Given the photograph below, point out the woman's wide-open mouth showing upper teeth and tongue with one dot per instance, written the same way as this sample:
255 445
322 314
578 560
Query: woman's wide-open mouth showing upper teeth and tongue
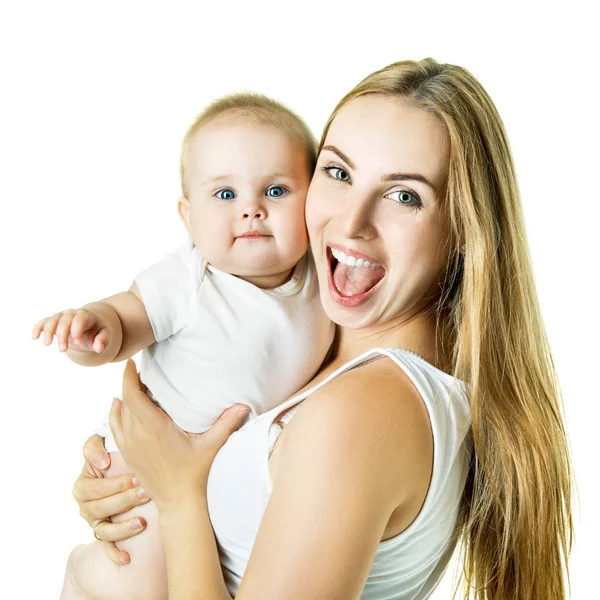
351 282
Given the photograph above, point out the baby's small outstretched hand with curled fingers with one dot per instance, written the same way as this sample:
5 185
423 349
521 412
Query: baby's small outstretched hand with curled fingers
80 330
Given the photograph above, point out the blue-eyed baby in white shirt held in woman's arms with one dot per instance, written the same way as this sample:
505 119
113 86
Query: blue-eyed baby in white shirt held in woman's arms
231 316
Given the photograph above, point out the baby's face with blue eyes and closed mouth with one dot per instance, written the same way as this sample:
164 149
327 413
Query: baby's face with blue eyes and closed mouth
247 186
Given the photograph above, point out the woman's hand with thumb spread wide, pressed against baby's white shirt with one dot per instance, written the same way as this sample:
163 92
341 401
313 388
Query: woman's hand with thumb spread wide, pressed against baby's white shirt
171 464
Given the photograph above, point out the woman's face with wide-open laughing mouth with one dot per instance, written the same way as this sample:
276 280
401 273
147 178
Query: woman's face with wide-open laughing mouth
377 195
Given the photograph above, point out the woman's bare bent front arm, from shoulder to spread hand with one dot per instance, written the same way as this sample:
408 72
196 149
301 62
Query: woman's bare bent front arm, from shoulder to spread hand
360 448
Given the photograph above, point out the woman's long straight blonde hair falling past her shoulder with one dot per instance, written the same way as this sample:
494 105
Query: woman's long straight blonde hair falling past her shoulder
516 515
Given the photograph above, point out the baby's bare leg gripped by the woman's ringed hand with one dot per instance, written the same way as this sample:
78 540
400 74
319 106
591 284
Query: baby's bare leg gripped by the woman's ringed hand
91 575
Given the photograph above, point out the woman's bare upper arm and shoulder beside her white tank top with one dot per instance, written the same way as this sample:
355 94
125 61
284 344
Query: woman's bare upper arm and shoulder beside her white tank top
358 450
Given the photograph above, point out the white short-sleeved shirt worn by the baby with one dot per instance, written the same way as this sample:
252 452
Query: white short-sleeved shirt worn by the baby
221 340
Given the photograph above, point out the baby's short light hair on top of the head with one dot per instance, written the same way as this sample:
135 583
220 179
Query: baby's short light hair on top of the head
257 108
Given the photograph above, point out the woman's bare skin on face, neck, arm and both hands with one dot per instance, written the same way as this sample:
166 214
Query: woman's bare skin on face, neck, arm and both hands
354 464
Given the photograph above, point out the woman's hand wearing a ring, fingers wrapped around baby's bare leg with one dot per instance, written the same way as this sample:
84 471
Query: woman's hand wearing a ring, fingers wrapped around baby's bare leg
100 497
